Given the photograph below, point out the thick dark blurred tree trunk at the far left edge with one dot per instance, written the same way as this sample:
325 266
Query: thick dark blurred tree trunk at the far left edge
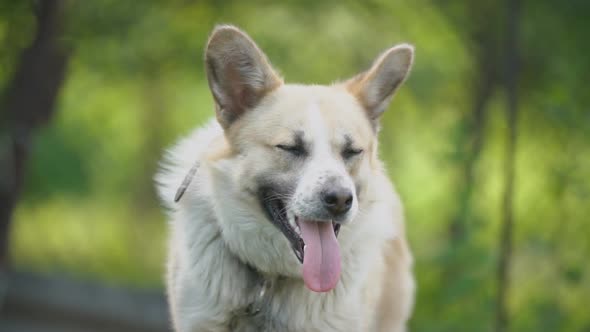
28 103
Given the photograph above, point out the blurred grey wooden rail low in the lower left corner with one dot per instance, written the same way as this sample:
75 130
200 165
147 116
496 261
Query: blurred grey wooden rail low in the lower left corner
31 303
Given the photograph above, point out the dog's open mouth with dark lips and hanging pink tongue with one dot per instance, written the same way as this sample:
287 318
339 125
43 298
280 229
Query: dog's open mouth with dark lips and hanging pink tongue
314 243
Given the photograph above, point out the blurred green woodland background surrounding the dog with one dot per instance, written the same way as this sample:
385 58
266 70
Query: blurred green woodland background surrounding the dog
488 143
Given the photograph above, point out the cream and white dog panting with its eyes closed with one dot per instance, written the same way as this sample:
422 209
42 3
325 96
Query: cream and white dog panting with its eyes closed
285 219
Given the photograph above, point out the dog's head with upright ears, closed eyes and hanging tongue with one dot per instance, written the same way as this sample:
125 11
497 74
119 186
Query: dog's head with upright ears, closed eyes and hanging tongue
305 153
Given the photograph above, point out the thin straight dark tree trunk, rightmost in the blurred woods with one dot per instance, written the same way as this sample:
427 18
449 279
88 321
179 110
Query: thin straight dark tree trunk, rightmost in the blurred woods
511 87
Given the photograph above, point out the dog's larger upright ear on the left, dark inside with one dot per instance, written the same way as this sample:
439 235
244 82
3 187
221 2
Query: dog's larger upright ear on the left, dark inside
239 73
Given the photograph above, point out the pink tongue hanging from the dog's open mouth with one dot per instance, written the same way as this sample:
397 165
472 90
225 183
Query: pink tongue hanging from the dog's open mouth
321 258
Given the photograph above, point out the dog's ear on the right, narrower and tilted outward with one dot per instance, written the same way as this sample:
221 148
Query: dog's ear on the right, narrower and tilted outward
375 87
